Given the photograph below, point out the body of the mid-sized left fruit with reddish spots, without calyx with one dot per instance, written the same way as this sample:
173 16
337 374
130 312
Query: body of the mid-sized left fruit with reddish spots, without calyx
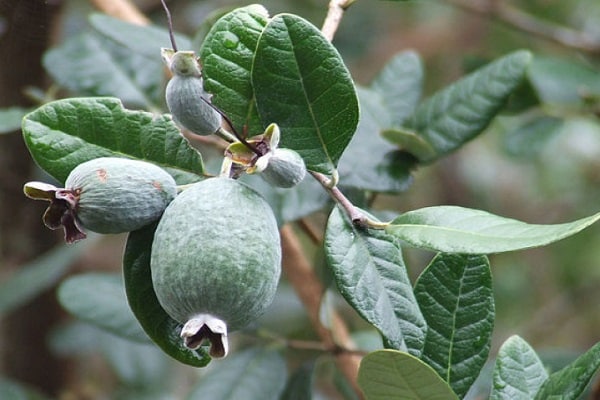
114 195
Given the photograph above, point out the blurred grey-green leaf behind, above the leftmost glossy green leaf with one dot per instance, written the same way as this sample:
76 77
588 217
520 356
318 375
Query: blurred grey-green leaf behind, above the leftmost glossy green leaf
90 65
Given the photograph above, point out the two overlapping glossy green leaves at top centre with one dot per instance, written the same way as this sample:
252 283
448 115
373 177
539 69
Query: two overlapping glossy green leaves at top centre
282 70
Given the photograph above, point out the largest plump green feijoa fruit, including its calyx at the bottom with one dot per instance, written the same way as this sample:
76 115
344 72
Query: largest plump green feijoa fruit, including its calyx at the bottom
216 260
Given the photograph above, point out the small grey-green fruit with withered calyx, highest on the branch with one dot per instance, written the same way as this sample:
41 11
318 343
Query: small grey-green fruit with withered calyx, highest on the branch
186 99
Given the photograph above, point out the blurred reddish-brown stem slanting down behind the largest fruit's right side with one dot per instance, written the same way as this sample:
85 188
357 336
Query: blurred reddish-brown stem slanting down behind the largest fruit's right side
309 288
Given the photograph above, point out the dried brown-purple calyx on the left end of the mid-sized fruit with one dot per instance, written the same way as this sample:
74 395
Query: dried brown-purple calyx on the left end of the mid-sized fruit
61 211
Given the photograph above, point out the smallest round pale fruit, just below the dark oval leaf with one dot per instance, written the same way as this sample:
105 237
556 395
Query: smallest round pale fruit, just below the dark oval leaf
285 168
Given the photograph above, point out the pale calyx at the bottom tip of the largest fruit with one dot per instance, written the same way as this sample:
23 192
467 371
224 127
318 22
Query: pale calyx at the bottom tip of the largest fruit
204 327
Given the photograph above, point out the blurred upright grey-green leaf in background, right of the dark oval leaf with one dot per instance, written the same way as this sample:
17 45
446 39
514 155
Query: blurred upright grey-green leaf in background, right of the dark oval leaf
399 84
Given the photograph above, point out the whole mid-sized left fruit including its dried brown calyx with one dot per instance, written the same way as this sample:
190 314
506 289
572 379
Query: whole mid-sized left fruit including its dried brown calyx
106 195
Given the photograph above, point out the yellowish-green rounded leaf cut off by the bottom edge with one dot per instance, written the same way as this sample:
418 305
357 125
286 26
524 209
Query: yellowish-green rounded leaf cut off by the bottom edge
393 375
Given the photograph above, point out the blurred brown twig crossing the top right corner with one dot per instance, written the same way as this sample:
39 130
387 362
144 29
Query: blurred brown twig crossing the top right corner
516 18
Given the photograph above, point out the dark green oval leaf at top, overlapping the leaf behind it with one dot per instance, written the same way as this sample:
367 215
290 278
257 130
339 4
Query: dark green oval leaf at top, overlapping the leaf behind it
302 84
